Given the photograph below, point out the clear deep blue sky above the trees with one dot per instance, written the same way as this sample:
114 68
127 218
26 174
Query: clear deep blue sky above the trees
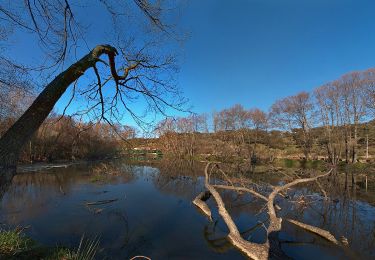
253 52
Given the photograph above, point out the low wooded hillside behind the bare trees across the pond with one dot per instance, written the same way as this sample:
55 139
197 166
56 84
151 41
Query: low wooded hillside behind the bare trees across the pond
261 145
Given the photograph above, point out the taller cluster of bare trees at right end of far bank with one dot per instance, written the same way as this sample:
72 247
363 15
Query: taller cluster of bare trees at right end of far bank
338 108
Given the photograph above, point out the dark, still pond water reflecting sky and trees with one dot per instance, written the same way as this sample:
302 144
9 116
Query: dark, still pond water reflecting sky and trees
152 213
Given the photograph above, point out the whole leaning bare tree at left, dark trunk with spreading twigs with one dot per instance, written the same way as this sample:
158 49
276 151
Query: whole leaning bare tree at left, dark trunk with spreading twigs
142 72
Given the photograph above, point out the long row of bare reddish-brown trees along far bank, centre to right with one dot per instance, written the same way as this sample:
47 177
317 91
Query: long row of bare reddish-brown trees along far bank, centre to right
327 122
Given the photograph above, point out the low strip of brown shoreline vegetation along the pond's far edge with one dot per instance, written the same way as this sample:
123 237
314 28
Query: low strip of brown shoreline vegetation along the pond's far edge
105 167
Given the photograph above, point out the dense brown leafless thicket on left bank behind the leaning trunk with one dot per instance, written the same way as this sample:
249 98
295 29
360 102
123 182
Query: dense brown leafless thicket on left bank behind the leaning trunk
64 138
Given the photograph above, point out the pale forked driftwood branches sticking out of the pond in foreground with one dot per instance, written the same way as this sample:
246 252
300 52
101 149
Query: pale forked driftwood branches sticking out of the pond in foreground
254 250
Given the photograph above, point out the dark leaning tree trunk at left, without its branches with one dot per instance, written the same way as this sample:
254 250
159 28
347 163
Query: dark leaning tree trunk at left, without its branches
21 132
